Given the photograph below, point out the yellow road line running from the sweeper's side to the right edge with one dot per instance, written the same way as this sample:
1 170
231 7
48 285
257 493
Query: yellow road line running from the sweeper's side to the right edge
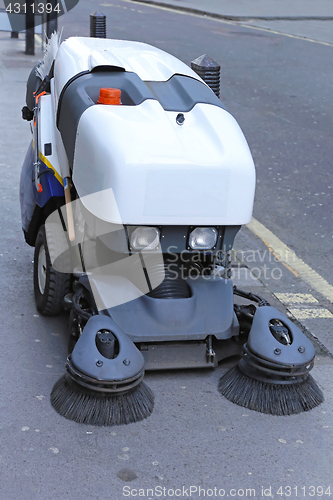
285 255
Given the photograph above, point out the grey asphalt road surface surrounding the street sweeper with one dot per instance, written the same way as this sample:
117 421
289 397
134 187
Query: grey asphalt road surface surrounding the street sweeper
279 90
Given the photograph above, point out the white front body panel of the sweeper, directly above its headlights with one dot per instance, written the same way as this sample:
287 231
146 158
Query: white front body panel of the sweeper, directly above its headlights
200 173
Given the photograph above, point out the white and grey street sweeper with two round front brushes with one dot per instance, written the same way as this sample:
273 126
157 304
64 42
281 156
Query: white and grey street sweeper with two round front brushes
133 188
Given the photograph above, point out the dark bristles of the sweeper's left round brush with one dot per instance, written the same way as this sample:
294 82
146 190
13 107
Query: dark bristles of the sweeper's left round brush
85 406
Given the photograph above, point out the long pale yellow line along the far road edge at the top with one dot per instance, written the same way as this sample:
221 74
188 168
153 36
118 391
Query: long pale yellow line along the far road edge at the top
225 21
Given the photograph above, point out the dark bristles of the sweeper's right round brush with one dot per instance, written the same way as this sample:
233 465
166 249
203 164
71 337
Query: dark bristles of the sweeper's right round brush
274 399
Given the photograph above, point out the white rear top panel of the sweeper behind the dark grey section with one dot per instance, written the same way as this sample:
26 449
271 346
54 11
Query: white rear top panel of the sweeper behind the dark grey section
79 54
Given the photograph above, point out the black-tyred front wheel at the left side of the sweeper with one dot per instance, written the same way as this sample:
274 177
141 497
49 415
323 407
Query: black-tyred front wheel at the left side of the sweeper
50 286
